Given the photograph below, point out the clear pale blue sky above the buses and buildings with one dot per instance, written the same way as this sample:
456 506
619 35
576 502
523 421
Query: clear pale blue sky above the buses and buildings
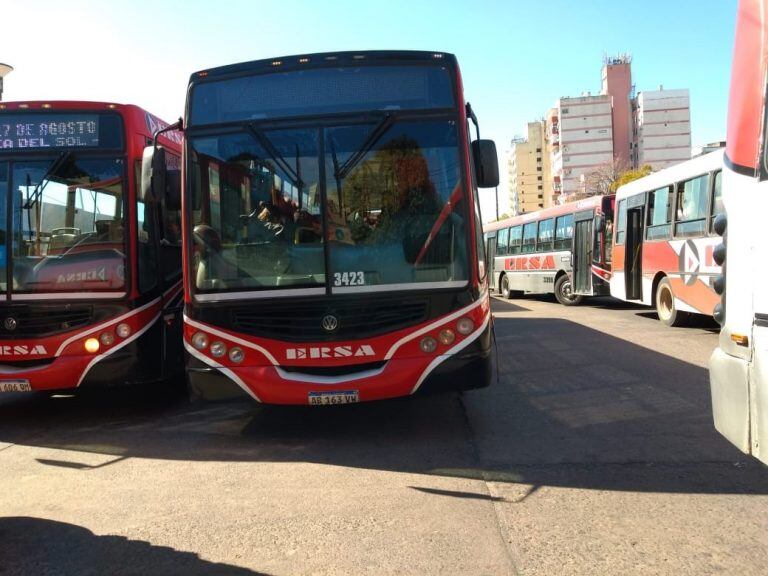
516 56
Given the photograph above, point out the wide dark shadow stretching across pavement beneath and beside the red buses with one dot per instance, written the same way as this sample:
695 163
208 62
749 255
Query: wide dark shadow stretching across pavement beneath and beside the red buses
574 407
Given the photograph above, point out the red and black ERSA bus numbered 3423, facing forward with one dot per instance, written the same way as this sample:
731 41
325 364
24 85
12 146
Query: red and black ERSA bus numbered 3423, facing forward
332 229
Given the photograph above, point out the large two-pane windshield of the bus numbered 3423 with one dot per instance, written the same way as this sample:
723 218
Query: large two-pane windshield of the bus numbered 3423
373 205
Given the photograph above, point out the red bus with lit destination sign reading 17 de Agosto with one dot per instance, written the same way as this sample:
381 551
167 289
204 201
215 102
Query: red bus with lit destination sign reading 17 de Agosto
91 290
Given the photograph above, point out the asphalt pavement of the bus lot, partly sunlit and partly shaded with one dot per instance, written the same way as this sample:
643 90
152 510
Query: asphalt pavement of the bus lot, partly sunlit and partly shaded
593 454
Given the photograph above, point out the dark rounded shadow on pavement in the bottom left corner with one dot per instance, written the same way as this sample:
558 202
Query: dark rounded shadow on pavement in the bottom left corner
42 546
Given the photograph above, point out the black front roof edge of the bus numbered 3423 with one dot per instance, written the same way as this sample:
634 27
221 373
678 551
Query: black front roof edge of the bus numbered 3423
298 61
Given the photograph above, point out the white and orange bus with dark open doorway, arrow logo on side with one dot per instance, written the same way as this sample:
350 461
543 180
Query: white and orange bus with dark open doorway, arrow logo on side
664 239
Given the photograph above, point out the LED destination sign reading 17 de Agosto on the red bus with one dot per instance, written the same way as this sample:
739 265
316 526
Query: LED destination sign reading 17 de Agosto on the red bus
36 131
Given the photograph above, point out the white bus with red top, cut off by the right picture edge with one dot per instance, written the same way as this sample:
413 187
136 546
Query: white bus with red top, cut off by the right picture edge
738 368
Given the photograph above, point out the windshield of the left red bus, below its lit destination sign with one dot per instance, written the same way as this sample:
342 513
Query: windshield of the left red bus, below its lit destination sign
66 225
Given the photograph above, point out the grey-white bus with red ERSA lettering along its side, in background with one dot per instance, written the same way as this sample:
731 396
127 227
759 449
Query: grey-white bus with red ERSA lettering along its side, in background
564 250
